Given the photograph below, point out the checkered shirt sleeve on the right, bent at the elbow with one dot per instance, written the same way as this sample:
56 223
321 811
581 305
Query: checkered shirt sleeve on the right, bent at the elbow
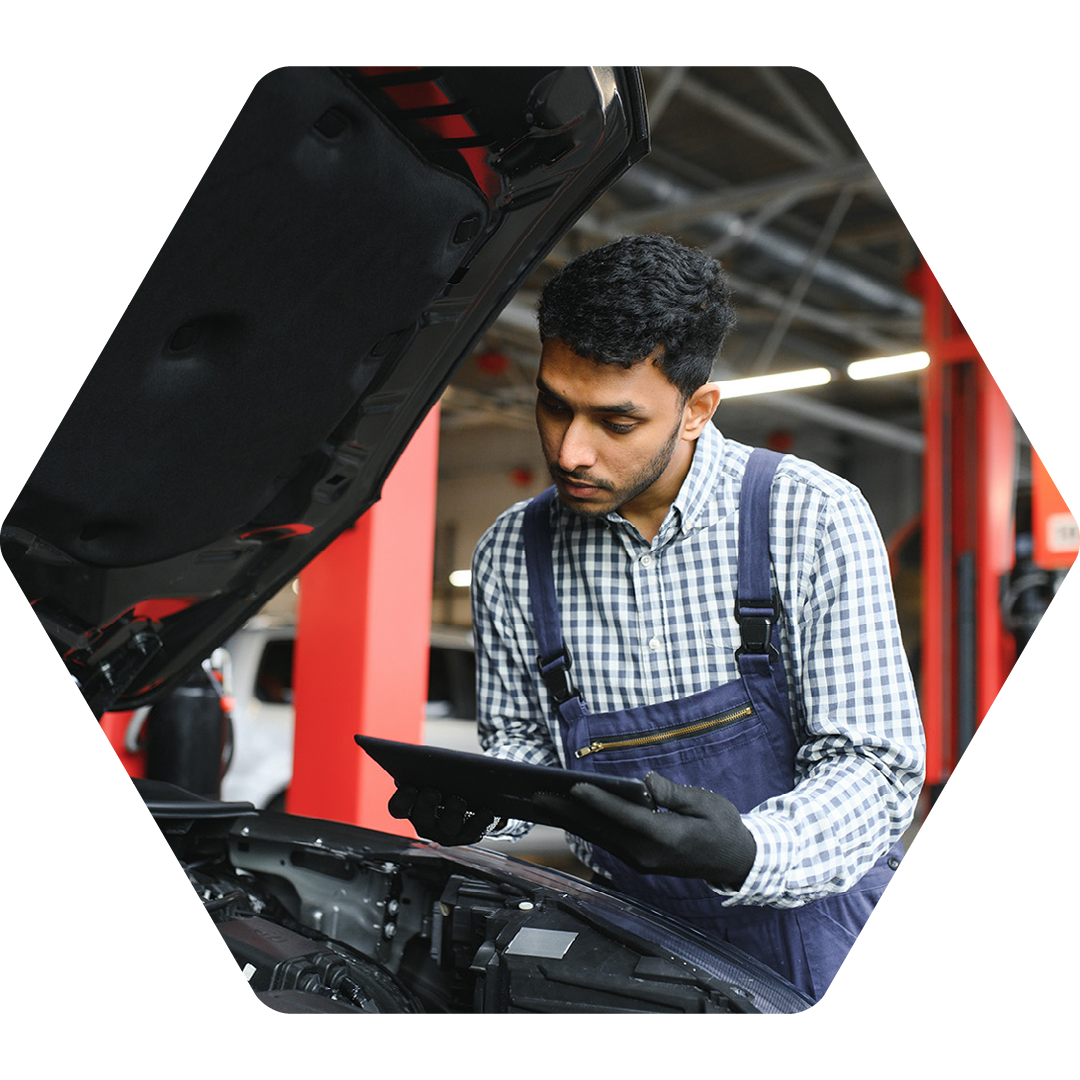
861 764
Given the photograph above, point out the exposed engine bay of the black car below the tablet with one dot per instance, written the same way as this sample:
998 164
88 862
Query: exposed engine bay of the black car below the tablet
330 919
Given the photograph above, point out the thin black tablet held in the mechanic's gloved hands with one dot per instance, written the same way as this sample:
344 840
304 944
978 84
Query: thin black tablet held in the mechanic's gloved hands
505 788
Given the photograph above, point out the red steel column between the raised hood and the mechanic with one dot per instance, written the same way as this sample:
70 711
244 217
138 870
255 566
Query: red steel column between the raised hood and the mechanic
363 639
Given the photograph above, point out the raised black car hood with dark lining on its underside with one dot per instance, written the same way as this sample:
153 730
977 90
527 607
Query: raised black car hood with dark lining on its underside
355 236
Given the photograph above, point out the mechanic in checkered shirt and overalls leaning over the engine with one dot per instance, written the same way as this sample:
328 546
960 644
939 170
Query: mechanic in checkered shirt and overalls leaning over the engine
715 619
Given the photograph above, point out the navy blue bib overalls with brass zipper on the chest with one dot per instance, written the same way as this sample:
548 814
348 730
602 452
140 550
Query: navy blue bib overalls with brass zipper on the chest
736 739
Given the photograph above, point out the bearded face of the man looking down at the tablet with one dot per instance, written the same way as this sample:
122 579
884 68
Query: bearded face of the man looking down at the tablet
613 437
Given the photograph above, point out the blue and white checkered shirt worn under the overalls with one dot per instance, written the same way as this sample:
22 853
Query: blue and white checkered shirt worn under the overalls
654 623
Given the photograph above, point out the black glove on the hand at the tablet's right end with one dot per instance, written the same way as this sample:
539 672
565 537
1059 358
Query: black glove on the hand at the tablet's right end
700 836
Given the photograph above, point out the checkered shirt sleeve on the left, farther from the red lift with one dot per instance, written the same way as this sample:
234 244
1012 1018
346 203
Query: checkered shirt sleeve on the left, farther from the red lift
510 717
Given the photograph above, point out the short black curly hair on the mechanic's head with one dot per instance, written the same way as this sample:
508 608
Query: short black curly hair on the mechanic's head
617 304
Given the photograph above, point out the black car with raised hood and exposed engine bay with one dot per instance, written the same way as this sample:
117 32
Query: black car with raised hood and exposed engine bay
232 430
